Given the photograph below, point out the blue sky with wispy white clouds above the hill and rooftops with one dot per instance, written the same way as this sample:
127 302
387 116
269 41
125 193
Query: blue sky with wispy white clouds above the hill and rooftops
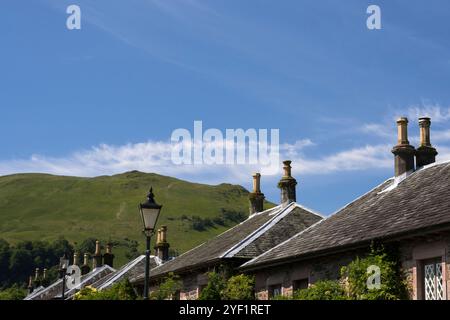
106 98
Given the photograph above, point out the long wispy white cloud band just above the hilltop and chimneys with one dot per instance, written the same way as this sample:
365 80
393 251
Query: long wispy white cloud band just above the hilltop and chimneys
155 156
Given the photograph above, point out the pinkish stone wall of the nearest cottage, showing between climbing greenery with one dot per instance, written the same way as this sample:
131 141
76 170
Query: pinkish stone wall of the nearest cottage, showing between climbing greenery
413 253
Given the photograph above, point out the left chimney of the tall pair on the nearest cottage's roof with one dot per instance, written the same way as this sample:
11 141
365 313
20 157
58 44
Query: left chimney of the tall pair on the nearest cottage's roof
403 151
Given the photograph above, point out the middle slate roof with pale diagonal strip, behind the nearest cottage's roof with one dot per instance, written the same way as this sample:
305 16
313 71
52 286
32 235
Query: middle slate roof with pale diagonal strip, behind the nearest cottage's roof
248 239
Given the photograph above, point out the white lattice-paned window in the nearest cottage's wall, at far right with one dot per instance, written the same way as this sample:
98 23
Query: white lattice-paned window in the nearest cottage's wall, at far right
433 280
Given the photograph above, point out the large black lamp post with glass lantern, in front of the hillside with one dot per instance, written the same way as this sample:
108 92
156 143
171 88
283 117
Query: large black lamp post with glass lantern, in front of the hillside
149 213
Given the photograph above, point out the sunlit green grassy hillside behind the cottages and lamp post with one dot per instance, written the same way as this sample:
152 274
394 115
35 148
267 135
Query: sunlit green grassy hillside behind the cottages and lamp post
44 207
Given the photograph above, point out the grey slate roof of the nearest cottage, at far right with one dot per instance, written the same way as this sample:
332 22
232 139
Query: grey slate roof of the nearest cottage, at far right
394 208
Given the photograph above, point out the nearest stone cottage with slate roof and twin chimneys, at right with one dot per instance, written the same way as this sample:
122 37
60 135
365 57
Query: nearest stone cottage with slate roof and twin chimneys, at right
410 211
